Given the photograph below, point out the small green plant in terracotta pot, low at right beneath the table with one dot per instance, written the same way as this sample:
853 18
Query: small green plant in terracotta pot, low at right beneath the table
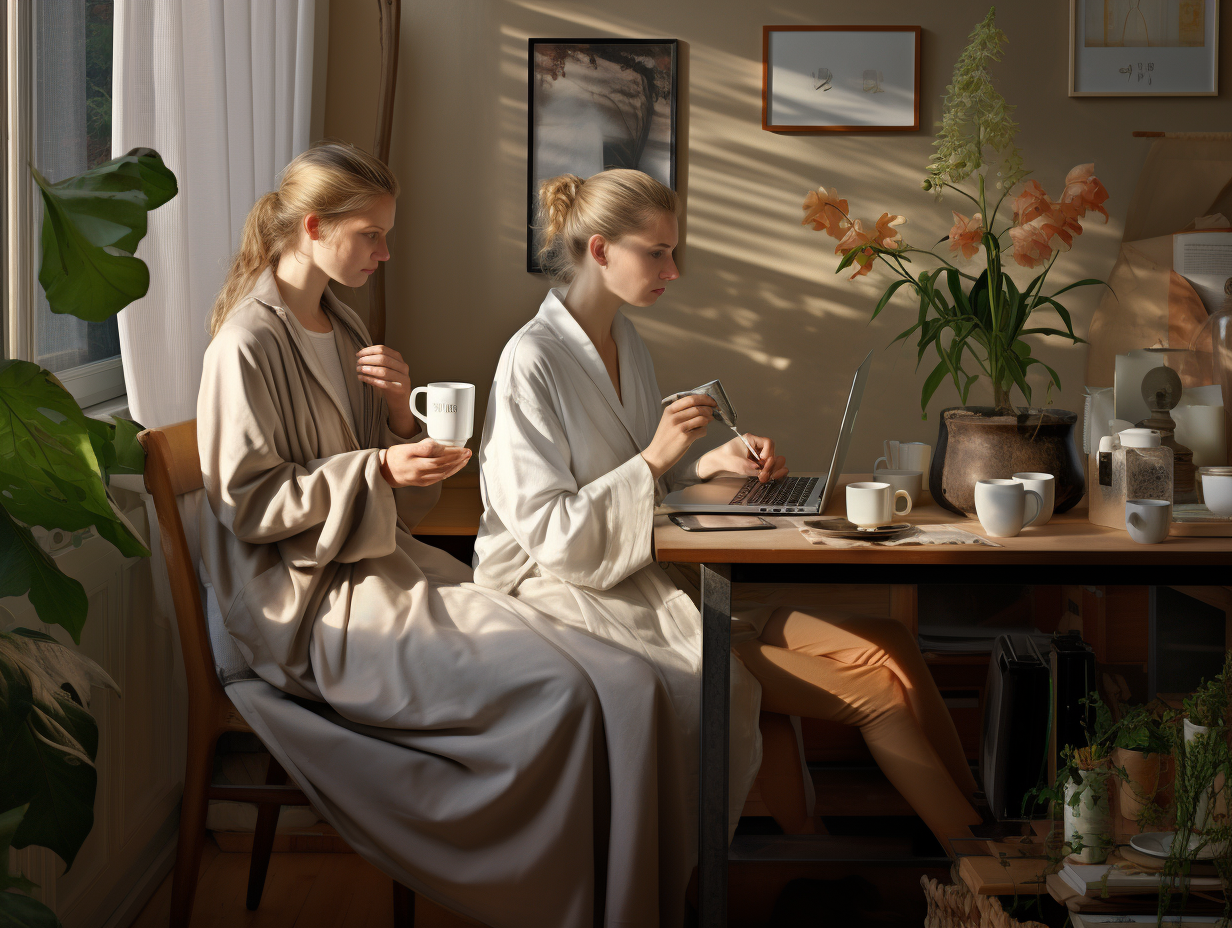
1143 756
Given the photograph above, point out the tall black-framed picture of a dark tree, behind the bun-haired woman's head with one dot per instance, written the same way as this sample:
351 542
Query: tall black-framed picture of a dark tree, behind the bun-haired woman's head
598 104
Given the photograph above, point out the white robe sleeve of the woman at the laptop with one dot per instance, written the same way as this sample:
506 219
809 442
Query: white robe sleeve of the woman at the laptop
591 537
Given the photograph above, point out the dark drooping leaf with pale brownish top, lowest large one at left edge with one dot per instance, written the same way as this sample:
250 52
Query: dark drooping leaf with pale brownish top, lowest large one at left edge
51 740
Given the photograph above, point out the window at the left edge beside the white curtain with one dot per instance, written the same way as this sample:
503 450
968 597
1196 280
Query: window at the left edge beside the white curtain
60 116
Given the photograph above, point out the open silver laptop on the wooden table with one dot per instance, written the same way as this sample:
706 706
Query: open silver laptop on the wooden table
787 496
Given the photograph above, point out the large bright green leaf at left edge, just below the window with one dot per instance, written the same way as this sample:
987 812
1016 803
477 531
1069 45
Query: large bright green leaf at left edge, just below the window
51 474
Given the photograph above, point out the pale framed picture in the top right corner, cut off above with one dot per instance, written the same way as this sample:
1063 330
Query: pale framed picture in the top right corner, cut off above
1144 47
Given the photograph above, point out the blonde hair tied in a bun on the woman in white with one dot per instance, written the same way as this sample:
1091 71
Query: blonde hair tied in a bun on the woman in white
612 204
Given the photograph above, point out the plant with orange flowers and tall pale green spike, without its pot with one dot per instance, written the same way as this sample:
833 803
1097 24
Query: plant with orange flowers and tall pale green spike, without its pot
979 317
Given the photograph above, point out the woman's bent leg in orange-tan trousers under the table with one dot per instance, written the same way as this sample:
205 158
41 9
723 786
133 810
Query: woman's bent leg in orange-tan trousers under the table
874 698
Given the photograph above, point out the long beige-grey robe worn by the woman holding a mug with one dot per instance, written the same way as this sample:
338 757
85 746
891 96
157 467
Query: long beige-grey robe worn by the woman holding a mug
519 771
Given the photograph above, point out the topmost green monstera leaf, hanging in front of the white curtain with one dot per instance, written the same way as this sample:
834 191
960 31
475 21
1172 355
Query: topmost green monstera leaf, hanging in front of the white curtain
92 227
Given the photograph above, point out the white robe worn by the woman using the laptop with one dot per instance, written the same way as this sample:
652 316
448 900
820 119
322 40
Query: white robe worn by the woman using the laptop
569 513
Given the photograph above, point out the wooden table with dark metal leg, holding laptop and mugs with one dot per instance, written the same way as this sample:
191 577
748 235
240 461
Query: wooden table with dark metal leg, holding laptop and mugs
1068 550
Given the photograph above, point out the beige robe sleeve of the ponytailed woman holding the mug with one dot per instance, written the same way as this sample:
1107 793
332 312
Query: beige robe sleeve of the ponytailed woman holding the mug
337 508
